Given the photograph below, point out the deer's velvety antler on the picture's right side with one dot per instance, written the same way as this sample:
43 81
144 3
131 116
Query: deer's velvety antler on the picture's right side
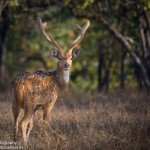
80 36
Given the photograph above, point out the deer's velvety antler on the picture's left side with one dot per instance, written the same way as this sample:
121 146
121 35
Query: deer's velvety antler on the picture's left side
49 38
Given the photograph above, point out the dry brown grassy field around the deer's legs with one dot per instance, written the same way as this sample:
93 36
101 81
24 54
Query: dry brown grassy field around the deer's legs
84 121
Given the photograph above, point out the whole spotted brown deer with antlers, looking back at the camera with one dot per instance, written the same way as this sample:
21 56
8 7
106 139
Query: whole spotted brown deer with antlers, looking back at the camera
39 90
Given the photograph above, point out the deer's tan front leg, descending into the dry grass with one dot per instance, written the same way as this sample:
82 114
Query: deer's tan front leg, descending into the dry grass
47 109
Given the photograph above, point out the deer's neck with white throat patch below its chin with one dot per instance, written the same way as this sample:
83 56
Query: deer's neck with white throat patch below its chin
62 76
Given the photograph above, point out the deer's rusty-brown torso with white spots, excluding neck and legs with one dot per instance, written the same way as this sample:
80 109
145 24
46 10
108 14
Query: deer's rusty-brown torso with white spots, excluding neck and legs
37 87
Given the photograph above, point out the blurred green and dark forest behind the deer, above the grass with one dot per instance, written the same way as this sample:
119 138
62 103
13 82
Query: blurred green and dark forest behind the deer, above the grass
115 52
